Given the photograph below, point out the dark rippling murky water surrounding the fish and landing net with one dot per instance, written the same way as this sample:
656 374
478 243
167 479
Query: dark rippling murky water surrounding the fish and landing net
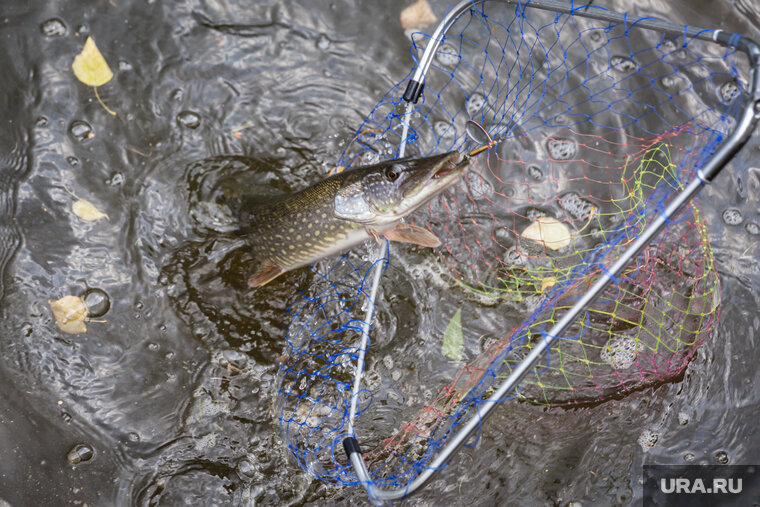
172 394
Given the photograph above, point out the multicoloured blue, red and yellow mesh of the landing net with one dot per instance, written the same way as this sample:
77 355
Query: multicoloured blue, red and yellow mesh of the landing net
600 124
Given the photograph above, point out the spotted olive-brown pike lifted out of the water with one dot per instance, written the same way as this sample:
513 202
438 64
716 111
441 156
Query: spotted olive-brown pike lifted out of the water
345 210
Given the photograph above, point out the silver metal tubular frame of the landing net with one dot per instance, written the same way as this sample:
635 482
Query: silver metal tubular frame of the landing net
705 174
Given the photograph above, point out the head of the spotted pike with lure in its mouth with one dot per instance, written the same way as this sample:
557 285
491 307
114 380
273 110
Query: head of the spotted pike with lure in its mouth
385 193
